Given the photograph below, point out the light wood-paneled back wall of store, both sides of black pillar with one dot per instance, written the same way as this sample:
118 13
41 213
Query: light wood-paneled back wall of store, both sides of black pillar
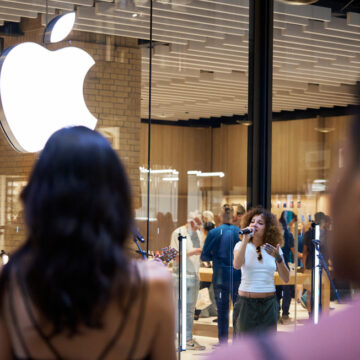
300 154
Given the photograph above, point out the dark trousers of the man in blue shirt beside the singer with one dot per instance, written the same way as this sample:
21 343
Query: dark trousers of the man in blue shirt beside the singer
222 293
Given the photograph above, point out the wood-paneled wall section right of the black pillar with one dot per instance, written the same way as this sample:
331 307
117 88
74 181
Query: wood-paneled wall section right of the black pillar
305 150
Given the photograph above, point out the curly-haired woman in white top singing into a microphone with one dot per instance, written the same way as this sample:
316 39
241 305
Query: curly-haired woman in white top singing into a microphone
258 256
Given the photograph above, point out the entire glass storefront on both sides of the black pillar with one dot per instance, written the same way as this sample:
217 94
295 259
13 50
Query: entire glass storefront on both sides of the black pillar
169 90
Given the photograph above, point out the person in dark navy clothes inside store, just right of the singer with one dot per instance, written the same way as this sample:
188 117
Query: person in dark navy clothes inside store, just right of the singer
285 292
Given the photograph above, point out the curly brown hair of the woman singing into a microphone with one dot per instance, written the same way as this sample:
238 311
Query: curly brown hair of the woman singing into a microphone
273 231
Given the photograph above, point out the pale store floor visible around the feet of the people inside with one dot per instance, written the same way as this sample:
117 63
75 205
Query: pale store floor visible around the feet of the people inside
205 329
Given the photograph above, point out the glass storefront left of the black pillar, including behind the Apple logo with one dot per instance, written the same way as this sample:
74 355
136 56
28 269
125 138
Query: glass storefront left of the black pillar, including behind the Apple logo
184 67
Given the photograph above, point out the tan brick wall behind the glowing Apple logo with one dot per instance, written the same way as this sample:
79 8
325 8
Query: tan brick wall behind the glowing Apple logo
112 94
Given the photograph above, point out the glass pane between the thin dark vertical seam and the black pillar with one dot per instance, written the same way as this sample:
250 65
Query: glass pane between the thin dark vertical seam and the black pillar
198 139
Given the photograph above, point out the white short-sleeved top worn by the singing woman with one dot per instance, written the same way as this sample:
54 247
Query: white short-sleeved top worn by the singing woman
257 276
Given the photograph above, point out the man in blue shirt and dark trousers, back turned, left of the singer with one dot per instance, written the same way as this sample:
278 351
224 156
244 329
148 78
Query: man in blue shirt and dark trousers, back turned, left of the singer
218 247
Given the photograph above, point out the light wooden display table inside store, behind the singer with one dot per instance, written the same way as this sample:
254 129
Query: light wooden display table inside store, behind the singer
206 275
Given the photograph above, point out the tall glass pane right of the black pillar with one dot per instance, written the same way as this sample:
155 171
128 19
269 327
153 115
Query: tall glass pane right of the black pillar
314 75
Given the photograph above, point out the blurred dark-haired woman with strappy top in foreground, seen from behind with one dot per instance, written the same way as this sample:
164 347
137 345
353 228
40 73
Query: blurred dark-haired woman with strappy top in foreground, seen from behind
71 291
